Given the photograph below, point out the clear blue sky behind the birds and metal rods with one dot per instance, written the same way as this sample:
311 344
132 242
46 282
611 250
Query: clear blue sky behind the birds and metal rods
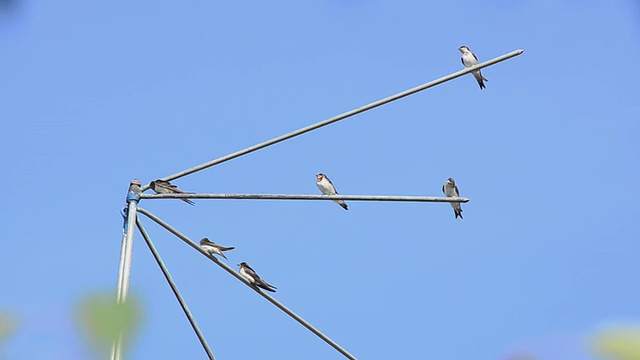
96 93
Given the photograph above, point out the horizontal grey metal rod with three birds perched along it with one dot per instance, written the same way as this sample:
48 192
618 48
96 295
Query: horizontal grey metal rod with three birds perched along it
308 197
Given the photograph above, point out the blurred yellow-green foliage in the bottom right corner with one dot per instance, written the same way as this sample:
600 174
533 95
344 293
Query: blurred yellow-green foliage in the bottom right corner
619 343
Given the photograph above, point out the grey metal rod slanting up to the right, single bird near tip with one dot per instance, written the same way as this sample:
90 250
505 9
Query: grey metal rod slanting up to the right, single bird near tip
342 116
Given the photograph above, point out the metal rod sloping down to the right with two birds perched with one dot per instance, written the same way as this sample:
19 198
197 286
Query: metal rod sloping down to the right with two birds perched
226 267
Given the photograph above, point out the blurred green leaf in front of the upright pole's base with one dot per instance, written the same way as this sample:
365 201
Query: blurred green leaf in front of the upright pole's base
103 321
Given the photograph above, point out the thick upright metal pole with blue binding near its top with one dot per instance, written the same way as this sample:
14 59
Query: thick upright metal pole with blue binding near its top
126 253
